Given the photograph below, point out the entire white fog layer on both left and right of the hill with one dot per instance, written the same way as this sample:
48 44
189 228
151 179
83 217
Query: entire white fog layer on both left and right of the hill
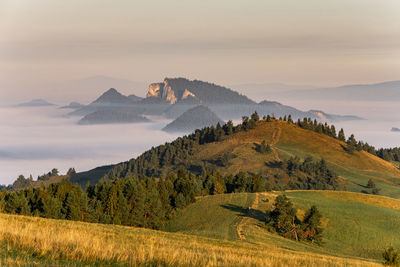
35 140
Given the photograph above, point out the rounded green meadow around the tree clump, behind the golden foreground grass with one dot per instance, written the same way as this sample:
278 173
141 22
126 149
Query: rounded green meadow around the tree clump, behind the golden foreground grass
356 225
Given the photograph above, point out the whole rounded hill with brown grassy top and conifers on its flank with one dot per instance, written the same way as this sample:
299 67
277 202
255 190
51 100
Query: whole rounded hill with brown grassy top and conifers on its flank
270 148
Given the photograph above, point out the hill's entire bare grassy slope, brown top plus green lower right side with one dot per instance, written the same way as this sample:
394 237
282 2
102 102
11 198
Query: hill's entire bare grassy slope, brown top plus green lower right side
290 140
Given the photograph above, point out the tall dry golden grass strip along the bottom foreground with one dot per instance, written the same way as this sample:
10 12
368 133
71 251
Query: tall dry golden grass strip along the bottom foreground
91 243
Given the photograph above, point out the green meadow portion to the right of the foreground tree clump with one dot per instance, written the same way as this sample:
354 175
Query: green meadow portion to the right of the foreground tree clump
357 224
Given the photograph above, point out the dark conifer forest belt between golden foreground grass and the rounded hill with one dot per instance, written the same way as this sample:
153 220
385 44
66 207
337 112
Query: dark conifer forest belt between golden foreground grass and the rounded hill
149 202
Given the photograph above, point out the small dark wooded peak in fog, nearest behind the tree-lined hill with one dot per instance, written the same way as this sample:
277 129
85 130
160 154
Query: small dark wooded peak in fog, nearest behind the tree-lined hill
194 118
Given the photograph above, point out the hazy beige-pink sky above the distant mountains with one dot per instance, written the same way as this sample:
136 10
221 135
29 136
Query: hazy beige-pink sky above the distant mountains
299 42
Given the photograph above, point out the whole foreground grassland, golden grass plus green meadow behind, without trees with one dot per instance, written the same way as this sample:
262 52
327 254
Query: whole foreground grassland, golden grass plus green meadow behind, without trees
217 230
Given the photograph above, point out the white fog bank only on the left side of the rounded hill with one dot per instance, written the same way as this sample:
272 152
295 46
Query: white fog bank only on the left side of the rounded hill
35 140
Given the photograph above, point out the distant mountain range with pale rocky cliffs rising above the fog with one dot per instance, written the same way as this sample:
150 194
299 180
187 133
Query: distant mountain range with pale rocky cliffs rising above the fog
174 96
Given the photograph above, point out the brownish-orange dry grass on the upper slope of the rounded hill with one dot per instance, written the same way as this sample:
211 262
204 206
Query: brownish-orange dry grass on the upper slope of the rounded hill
292 140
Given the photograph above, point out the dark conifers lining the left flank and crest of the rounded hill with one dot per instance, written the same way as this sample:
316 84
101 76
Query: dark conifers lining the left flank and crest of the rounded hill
177 152
